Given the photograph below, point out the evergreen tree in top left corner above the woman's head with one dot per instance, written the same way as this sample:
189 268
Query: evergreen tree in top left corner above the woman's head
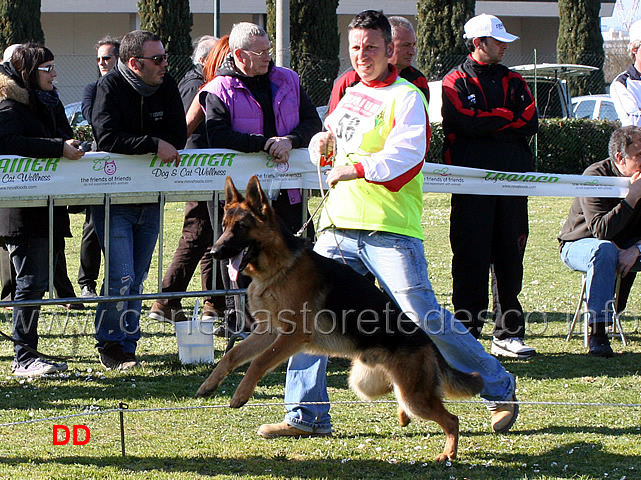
20 22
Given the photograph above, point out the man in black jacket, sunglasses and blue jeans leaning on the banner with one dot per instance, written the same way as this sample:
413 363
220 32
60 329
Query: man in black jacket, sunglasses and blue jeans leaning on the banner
137 110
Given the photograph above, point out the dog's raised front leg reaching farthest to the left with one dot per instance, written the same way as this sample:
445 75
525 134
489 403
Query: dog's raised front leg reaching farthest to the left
242 353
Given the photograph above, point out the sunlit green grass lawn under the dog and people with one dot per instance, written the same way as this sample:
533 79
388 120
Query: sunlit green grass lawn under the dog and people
168 437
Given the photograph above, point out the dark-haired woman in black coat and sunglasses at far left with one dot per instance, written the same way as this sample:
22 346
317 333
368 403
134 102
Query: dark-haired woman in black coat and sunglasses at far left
32 124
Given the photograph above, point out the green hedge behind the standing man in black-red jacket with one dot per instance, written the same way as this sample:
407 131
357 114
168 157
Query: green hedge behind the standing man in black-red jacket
565 145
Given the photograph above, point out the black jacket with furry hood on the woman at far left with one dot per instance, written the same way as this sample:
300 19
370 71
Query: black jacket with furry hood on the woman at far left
39 134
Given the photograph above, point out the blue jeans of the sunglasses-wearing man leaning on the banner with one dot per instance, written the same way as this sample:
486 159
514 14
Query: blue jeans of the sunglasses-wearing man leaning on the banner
132 239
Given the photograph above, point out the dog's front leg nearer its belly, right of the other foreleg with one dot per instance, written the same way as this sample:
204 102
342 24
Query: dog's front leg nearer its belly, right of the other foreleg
283 347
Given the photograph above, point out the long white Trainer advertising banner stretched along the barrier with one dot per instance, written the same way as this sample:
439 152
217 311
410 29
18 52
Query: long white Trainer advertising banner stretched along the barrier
206 170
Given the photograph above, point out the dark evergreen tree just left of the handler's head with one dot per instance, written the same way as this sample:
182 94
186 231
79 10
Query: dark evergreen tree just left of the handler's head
315 44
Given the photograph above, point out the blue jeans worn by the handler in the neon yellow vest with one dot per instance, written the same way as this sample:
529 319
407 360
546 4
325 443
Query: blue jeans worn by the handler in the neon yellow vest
398 262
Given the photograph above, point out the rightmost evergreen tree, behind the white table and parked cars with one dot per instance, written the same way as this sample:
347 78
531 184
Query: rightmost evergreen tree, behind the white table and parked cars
580 41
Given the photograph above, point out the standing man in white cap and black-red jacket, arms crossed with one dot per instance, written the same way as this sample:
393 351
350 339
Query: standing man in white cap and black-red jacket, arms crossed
488 116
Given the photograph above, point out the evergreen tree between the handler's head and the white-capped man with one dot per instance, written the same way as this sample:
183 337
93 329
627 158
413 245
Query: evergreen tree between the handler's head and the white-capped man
440 45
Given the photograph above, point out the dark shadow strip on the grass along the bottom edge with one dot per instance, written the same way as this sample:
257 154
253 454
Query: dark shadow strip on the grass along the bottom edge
570 460
